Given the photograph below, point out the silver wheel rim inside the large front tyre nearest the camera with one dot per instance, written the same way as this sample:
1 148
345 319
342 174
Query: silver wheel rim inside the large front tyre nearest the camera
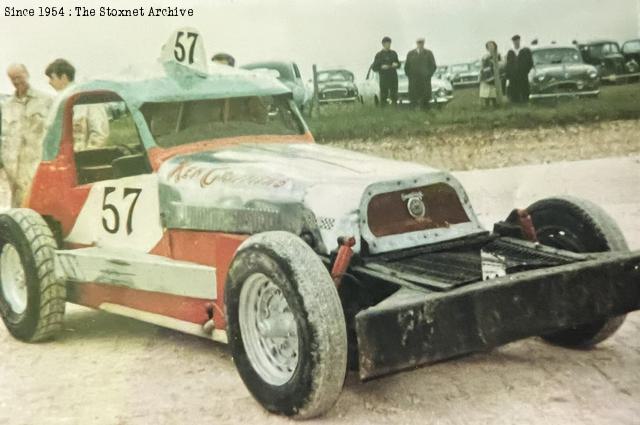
269 330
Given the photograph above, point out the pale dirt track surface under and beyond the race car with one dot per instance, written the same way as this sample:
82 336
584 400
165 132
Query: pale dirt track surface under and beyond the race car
110 370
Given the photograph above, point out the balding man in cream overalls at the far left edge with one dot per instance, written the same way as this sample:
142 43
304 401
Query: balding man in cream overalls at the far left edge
23 128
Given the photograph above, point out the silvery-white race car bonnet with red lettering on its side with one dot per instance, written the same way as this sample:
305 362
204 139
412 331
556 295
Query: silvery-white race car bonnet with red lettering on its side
241 188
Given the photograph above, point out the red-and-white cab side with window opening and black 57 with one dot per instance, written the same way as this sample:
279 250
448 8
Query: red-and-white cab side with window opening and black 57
106 194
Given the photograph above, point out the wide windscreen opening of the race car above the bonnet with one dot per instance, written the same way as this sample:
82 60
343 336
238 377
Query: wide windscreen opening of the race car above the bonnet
181 123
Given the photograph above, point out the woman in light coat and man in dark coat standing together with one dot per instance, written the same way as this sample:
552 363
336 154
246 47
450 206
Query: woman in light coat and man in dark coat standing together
512 73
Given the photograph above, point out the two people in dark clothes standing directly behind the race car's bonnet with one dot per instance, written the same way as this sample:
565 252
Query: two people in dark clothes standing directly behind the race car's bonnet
419 67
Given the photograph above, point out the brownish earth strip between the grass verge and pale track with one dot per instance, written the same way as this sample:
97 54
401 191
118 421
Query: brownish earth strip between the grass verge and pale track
501 148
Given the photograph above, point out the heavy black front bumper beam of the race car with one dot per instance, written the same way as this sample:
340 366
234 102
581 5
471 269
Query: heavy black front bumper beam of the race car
413 327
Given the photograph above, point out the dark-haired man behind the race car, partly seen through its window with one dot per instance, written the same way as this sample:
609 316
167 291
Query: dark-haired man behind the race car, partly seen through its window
90 122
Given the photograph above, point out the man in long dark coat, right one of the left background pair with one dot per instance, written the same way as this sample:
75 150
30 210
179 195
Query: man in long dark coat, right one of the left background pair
420 67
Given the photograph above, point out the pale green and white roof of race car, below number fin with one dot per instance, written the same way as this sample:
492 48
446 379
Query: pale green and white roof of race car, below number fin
180 84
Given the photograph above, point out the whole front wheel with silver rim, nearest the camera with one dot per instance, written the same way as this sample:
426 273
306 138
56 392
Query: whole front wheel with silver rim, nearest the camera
285 325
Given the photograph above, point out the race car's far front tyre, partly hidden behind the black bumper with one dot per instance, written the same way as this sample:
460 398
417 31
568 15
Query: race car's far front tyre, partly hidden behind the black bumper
580 226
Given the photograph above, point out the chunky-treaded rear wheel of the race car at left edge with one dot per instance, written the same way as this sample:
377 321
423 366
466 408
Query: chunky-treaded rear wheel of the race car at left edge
32 301
